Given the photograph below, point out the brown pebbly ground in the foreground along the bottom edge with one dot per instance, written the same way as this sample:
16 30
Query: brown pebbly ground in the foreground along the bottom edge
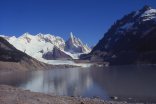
11 95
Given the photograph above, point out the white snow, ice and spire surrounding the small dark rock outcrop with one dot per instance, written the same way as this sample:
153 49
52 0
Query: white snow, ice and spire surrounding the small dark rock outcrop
38 45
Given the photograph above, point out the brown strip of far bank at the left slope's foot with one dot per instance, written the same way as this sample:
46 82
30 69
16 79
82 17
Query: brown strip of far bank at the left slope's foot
22 66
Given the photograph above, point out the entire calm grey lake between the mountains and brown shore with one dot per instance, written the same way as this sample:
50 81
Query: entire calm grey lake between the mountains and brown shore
127 81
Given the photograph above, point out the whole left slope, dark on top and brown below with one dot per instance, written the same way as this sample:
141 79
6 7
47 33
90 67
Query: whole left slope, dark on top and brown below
13 59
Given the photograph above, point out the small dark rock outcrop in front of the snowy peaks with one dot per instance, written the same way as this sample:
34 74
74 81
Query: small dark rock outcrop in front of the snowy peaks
56 54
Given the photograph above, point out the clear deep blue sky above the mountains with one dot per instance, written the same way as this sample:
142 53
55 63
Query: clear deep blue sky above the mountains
87 19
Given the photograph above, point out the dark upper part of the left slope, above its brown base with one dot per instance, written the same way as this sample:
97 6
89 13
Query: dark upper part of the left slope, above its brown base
10 53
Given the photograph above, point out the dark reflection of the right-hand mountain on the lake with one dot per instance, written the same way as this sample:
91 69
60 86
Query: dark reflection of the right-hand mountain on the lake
128 81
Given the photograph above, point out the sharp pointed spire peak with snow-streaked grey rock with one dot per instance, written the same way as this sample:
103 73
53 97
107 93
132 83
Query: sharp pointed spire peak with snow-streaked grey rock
75 45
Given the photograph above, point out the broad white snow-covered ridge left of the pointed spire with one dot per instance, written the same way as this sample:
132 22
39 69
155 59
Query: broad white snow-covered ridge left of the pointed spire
37 45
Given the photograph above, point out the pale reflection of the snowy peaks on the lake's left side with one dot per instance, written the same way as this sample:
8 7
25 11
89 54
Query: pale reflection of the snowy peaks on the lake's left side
71 82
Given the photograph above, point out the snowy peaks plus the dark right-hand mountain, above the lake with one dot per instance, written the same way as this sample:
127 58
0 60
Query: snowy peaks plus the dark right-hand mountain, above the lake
130 40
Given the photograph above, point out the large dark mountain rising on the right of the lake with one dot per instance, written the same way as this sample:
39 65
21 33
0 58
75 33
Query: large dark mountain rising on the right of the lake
130 40
